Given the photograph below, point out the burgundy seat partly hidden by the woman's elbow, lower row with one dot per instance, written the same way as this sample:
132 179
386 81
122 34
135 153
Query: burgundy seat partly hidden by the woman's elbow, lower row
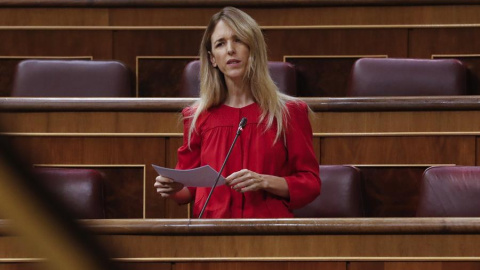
340 195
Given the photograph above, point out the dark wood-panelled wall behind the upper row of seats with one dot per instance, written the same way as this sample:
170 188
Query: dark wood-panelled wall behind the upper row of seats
320 38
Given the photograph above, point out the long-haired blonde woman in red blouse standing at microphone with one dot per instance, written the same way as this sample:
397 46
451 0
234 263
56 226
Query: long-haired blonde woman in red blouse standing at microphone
272 168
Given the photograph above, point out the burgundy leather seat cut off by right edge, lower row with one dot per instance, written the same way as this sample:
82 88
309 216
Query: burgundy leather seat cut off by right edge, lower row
450 191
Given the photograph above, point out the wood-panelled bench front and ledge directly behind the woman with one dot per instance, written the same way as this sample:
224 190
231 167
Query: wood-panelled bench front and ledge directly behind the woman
391 140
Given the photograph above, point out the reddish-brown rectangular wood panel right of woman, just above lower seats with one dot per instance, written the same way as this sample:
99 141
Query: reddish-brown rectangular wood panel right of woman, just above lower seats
400 150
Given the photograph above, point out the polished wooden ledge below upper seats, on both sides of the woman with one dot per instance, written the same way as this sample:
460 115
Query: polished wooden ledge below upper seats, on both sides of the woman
324 105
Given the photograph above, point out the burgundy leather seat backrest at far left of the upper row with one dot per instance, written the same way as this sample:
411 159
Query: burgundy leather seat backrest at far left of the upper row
71 78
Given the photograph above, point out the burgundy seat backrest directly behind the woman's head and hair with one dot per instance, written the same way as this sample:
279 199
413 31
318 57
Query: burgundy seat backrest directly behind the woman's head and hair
282 73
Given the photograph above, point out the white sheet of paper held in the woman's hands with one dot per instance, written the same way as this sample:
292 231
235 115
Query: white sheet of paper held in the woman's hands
199 177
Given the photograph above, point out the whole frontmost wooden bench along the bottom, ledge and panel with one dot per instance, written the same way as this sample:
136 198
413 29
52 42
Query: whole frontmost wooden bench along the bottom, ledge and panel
333 242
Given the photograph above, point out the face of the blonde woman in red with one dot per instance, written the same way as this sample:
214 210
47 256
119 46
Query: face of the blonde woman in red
228 53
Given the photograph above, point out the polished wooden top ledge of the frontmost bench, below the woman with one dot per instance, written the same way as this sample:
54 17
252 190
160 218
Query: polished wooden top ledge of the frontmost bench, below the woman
289 227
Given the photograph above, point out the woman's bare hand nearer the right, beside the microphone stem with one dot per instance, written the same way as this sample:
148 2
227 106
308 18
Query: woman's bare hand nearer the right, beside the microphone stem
246 180
